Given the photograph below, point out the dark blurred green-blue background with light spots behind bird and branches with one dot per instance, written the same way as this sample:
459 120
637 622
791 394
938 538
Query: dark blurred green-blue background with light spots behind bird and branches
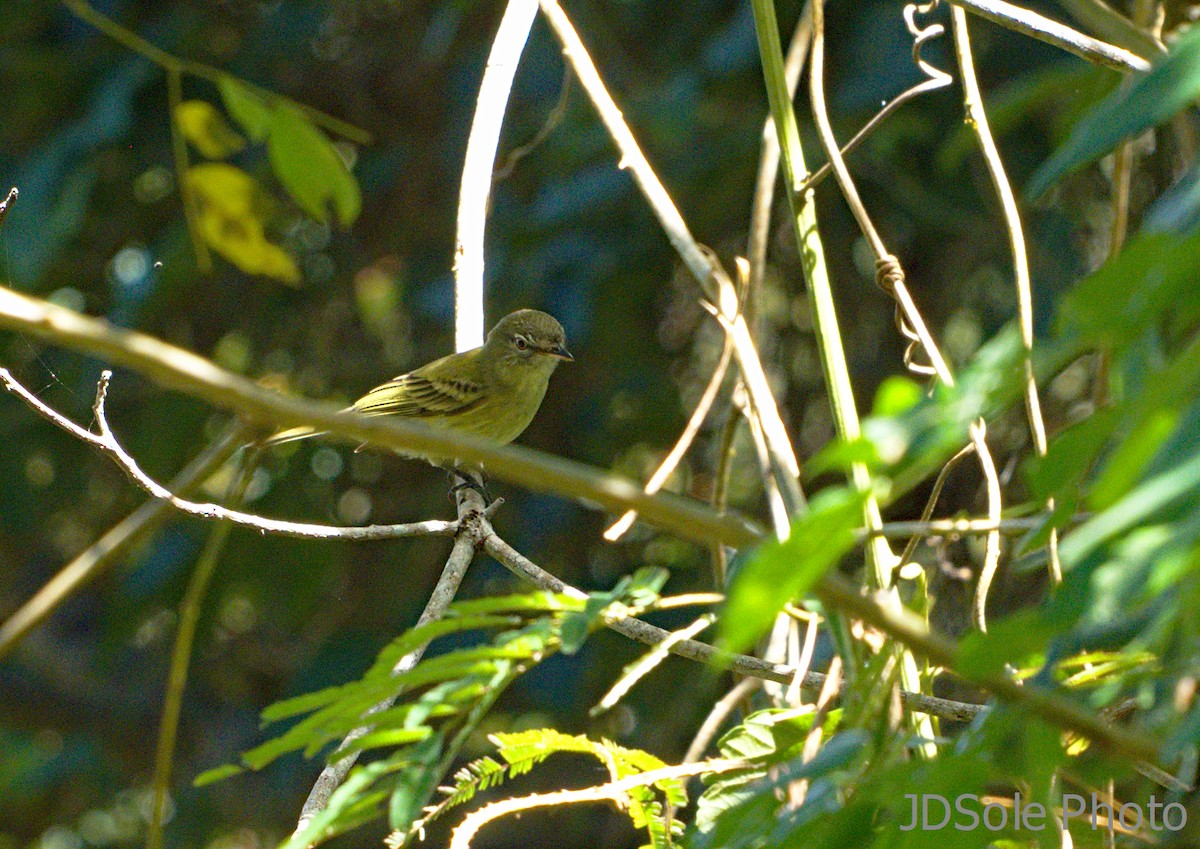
86 135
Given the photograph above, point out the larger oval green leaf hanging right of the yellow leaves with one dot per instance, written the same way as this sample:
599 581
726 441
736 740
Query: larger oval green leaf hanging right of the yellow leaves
310 168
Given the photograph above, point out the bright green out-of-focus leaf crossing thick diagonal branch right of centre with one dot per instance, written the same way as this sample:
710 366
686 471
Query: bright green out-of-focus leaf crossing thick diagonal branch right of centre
782 571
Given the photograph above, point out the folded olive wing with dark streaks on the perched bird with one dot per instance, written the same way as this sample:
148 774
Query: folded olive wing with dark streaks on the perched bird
445 388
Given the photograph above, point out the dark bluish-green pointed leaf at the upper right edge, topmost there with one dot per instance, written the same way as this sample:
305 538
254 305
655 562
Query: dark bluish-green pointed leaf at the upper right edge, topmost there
1171 87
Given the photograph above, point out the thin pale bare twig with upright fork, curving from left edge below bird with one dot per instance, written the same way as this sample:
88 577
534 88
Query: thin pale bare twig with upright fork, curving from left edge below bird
106 442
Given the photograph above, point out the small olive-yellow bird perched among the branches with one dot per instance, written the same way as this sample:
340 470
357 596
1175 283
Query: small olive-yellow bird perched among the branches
493 392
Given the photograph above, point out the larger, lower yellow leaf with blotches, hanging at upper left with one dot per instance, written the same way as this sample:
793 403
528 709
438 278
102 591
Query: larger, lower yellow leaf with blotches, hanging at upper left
232 208
